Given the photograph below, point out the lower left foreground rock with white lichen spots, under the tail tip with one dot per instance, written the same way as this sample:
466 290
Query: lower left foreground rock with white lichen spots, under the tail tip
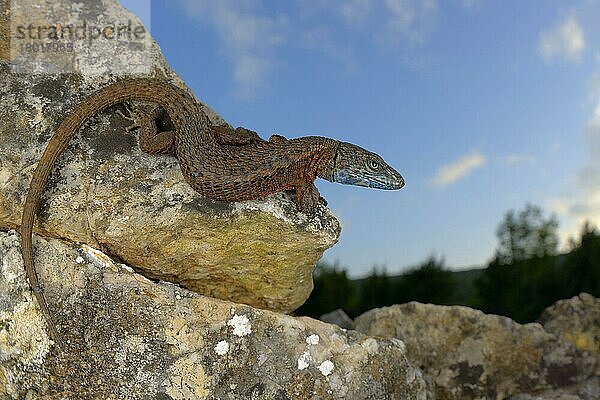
127 337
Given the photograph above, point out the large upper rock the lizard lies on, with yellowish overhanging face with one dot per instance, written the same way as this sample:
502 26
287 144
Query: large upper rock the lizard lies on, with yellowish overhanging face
105 192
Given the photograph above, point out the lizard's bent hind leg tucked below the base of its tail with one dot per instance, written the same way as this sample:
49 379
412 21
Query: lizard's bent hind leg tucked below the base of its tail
156 133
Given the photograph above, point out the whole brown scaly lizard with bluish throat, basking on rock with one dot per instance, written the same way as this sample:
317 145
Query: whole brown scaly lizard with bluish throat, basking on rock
218 162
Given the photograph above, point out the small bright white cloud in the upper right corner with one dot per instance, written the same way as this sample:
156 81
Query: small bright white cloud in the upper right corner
566 40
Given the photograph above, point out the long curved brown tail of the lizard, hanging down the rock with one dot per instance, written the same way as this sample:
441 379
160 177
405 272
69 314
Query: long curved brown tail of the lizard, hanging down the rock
136 89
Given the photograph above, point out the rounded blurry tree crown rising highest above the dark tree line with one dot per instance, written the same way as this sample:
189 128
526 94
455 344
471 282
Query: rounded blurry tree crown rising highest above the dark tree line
525 235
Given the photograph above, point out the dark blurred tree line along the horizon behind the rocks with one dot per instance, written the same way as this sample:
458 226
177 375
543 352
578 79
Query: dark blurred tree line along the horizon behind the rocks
526 275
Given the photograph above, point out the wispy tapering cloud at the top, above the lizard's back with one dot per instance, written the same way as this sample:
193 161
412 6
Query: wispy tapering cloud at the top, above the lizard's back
249 39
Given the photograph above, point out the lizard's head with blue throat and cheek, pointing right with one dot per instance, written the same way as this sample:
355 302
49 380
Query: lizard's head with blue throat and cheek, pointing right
353 165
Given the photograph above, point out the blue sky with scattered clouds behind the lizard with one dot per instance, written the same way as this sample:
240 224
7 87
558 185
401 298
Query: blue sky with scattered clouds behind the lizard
483 106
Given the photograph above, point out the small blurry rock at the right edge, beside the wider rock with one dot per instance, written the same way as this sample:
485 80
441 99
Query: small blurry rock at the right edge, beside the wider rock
576 320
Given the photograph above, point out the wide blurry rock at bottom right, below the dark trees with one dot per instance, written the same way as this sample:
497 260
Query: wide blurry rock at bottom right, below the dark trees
471 355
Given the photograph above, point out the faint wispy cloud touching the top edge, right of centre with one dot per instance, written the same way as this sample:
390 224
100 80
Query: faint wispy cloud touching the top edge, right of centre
410 19
